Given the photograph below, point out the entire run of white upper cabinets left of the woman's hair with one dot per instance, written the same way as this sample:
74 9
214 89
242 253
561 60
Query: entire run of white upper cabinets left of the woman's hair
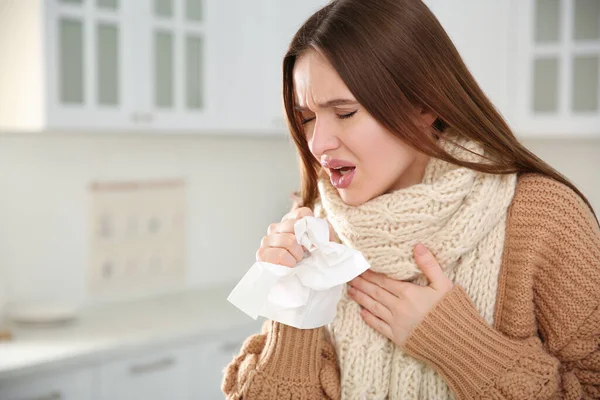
145 65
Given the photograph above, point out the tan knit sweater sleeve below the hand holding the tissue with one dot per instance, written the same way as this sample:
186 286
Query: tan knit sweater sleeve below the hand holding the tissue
284 363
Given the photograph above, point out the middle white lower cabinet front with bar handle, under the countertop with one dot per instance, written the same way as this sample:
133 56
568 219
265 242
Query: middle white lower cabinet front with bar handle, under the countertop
157 376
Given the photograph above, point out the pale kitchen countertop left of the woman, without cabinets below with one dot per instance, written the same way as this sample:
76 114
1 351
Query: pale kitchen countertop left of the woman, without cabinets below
105 332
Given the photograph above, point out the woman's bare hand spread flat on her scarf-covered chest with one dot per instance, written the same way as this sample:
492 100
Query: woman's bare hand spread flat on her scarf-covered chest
395 308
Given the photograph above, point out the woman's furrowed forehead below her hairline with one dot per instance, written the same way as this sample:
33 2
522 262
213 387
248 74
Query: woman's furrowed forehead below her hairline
316 81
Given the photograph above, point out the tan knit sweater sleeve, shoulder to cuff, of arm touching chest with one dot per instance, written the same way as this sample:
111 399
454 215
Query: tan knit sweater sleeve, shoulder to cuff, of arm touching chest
563 360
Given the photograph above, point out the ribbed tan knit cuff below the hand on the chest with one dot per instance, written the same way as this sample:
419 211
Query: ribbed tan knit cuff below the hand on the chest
461 346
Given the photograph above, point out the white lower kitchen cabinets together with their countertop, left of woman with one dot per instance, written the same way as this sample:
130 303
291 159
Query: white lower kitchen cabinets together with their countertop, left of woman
172 346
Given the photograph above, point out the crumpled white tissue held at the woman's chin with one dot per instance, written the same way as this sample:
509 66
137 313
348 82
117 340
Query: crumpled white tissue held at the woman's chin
306 295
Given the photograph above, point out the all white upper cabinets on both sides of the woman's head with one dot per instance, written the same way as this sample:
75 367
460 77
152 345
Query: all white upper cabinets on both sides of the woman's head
214 66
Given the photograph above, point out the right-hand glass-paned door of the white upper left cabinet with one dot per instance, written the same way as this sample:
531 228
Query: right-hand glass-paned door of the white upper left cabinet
173 84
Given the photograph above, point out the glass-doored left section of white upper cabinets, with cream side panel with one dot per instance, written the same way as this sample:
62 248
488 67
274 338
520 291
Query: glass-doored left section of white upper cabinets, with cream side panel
107 65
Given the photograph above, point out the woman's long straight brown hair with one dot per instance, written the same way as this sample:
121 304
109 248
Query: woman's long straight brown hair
394 55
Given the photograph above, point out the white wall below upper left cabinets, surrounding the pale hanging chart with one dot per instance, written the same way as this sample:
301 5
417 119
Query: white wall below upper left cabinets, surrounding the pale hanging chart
236 188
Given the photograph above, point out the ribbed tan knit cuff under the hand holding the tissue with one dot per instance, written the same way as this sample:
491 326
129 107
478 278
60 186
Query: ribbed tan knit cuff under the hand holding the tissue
292 354
